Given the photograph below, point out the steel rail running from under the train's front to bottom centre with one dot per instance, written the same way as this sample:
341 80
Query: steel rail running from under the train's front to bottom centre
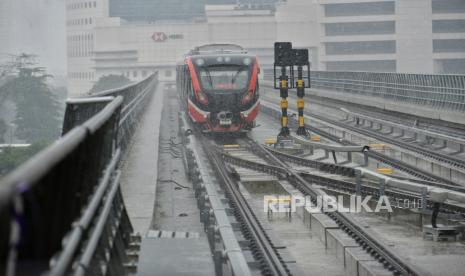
272 260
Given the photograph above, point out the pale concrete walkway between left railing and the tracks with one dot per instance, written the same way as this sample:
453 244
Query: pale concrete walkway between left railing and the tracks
173 239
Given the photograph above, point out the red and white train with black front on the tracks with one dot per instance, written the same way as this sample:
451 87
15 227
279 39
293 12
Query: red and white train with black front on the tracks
218 87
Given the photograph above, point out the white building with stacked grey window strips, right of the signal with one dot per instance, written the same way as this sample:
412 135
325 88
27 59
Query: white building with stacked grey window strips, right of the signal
411 36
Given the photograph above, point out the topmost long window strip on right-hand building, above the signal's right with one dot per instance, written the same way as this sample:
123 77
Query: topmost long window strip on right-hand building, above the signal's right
354 9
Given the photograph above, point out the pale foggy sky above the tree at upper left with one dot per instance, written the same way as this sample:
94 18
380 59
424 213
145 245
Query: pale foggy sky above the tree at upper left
37 27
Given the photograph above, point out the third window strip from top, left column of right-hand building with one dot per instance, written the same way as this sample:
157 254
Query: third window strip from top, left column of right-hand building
361 47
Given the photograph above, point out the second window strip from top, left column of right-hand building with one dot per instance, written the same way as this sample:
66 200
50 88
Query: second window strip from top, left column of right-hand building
360 28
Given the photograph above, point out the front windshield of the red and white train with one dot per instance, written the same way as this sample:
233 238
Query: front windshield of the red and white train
230 77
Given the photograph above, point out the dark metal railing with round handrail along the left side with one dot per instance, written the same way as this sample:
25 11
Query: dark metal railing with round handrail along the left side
62 211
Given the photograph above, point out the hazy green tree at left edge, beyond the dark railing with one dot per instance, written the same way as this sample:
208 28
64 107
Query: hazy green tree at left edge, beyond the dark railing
38 115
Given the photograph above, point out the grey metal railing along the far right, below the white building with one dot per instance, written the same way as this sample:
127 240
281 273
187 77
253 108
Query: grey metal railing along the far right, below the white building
434 91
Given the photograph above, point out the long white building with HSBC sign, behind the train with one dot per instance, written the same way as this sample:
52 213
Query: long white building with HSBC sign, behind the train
100 45
